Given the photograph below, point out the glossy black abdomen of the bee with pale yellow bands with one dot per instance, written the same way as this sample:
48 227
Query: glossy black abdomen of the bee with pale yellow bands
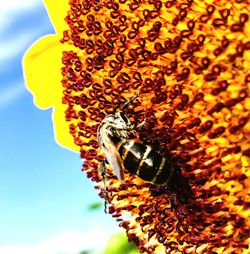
145 162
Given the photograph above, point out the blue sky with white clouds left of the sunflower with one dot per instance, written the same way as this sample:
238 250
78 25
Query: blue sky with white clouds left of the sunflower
44 196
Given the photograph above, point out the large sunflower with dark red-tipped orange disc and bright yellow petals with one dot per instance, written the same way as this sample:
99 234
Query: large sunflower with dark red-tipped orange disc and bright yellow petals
189 62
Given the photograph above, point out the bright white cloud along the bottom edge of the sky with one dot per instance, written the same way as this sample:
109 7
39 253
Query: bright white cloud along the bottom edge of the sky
66 243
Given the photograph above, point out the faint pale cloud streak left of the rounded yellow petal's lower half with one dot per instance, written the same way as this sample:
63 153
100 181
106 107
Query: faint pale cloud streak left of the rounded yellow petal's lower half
11 94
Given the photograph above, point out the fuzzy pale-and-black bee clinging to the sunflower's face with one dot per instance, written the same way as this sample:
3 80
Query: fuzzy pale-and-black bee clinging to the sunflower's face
116 136
